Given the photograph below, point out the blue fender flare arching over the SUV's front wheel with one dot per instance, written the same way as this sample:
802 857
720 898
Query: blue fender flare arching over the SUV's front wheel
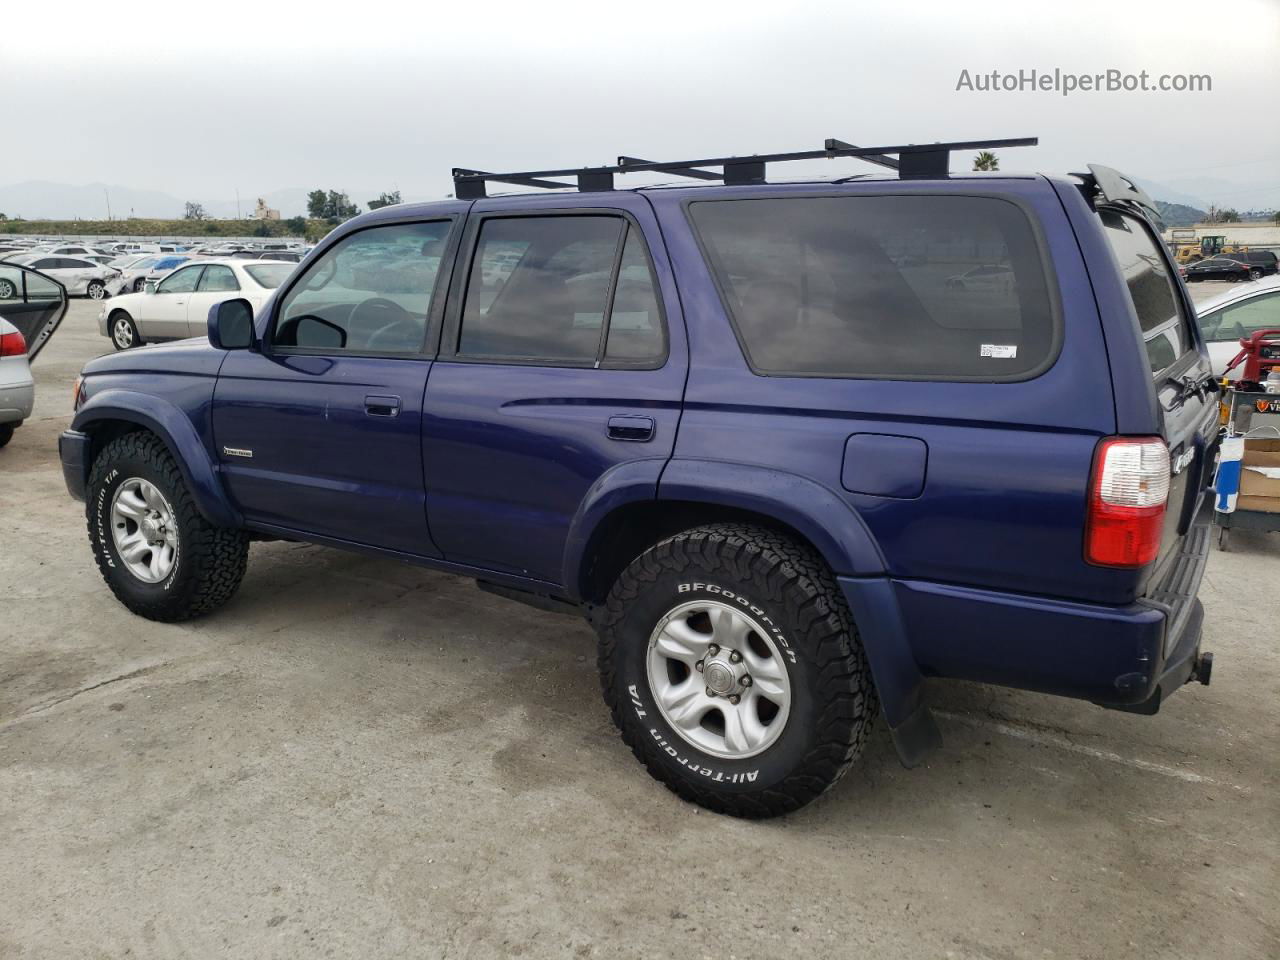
179 433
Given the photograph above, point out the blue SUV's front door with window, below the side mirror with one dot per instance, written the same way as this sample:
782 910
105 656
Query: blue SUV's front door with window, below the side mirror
321 432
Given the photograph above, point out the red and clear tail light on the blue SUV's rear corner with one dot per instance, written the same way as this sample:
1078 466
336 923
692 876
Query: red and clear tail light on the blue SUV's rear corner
1128 495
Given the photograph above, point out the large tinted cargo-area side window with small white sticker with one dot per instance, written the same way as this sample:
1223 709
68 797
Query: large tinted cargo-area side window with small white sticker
924 287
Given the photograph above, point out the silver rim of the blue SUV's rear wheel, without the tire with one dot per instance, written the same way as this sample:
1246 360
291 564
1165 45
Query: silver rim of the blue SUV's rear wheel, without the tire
719 679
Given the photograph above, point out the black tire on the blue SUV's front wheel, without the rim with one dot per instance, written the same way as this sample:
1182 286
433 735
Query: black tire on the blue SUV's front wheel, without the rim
211 561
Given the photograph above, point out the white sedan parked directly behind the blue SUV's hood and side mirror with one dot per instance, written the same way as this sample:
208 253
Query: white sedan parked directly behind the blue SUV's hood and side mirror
179 307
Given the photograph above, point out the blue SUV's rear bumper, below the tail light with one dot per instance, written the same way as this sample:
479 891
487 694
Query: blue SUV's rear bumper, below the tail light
1131 657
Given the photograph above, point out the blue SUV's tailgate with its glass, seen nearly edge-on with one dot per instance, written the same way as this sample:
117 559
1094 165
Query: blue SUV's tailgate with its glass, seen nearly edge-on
1187 419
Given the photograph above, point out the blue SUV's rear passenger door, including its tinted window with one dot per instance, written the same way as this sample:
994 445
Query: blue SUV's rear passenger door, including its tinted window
563 359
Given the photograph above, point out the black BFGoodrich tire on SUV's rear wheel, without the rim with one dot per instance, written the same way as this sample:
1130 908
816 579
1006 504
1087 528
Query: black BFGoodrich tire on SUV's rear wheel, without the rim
834 700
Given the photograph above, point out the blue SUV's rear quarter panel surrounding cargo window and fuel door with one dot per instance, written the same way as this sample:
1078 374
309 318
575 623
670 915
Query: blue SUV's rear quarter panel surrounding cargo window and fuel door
1008 464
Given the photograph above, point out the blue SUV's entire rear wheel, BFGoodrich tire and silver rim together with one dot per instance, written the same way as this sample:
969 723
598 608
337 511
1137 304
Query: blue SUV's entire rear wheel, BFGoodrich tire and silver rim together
734 671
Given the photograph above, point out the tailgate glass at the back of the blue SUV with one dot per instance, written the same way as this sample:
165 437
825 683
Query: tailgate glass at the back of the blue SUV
1165 330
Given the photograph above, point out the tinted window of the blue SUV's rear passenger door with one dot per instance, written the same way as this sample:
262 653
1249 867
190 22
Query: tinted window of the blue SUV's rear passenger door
561 290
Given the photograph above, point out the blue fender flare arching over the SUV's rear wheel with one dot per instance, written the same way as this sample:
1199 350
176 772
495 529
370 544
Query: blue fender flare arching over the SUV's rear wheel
826 520
